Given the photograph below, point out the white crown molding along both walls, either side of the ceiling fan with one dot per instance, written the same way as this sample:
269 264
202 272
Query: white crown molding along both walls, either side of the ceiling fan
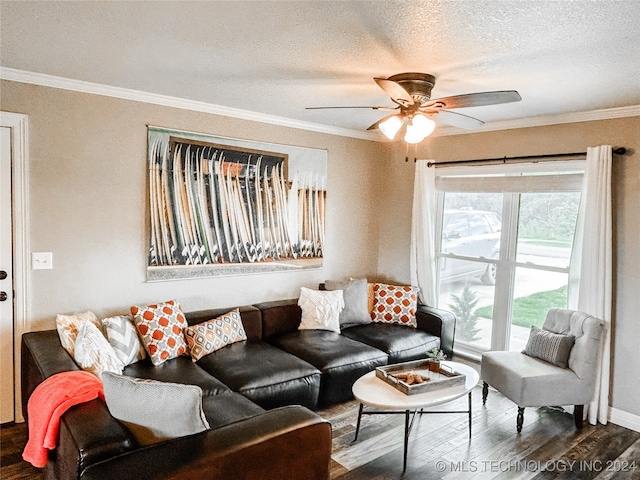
52 81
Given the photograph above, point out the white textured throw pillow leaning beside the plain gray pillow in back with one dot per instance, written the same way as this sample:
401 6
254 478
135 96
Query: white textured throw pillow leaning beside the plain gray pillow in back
320 309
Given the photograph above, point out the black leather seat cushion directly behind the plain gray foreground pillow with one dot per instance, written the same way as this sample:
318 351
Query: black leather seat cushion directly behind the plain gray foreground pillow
177 370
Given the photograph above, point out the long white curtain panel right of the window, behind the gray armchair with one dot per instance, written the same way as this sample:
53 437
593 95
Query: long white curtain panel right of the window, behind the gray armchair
590 276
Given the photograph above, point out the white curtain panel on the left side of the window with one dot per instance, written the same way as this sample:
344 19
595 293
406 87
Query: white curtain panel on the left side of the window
423 261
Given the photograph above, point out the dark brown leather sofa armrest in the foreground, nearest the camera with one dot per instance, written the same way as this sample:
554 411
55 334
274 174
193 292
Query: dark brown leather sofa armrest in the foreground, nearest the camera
284 443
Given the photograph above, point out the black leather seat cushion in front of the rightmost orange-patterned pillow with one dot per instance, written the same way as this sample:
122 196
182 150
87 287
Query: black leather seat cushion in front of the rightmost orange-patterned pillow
401 343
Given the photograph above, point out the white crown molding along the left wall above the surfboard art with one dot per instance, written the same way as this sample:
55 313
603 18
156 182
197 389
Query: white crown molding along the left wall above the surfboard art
52 81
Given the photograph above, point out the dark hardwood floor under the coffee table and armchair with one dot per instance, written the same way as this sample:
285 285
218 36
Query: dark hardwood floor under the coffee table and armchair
550 447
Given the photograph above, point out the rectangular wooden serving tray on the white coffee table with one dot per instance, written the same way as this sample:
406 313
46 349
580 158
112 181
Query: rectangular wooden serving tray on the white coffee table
444 378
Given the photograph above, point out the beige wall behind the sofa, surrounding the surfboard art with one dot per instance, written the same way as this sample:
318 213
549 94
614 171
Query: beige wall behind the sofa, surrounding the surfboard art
88 203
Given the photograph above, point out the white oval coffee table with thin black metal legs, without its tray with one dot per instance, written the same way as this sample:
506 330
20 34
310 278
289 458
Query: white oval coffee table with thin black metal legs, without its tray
374 392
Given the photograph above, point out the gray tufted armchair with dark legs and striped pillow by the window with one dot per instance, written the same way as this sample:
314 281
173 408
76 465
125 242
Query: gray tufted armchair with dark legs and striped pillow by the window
544 376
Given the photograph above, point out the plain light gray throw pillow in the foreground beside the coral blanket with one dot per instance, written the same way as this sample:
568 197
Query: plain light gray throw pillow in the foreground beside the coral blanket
155 411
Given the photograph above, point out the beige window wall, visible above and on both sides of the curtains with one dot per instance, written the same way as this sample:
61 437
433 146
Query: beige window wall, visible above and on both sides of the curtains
575 137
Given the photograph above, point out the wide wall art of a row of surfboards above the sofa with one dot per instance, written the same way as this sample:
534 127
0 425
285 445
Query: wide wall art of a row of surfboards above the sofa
223 206
